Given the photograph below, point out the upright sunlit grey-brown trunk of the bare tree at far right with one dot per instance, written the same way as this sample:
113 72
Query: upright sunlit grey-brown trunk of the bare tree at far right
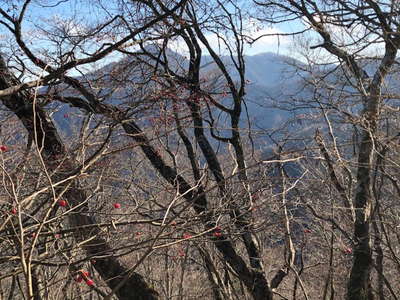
359 285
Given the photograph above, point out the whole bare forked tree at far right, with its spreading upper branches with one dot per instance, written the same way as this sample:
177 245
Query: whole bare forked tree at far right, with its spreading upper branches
347 30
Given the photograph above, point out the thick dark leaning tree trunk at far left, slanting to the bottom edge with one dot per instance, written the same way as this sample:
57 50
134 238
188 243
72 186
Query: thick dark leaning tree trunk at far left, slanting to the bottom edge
109 268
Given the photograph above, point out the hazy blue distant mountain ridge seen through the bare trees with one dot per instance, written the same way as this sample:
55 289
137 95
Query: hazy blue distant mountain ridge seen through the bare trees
275 85
